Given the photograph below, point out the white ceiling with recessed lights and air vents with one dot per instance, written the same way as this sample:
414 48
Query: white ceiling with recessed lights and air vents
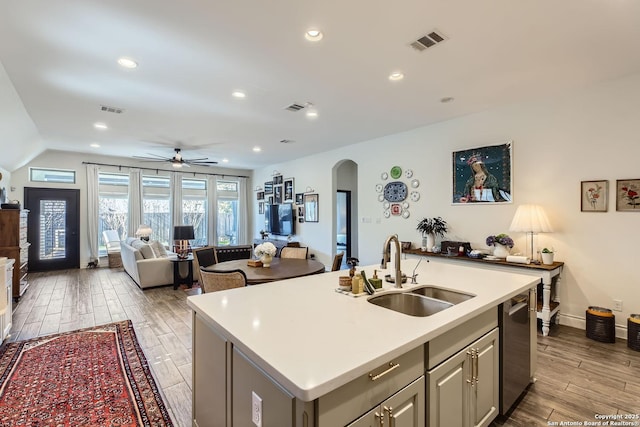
60 60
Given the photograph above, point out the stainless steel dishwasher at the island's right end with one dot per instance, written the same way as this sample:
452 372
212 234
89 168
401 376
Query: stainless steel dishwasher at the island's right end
515 318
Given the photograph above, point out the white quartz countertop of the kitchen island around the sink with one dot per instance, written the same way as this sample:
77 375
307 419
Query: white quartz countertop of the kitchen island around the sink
312 339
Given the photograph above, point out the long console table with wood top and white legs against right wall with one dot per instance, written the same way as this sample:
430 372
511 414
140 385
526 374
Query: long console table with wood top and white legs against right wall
548 274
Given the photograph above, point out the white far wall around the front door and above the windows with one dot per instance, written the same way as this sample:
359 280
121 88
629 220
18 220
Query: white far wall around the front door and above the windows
73 161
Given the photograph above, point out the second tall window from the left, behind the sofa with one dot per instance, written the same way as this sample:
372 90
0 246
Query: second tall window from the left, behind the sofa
157 207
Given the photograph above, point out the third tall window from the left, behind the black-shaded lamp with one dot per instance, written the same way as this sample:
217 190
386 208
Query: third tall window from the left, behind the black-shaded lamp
194 208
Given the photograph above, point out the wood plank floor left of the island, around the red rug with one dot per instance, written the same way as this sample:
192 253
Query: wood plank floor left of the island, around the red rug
72 299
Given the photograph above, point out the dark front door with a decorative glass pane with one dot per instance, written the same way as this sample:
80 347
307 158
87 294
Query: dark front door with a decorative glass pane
53 228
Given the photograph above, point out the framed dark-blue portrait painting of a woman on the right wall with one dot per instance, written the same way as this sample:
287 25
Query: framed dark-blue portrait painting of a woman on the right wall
483 175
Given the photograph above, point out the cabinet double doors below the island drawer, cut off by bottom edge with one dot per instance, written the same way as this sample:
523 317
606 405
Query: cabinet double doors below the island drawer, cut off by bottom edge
403 409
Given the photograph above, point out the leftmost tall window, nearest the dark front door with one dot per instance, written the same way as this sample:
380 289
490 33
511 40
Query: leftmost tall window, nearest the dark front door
113 206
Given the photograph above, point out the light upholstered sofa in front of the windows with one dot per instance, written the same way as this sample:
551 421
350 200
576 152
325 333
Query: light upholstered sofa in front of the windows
147 263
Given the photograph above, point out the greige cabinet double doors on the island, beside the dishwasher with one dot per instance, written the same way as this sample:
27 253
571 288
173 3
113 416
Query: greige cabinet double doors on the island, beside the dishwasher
463 390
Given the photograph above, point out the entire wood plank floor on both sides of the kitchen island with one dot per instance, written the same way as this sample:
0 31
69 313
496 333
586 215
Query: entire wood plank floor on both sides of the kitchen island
576 378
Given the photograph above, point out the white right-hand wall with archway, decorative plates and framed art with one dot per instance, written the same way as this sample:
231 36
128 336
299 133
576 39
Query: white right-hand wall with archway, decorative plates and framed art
591 135
